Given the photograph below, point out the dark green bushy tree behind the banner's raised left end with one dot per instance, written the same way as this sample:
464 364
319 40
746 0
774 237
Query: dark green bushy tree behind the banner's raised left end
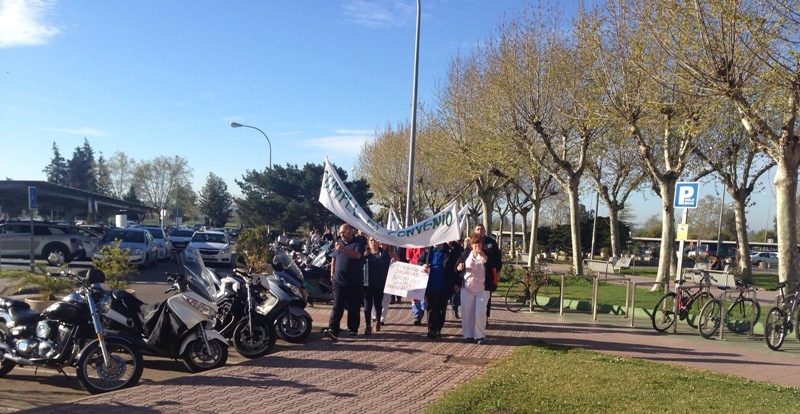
287 197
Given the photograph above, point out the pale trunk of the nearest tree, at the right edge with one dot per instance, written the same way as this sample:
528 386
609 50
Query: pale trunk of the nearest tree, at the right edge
786 211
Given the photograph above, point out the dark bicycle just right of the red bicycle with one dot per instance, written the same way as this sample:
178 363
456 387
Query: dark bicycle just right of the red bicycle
739 317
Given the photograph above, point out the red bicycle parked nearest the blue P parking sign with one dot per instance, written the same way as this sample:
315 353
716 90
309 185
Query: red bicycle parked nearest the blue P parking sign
688 304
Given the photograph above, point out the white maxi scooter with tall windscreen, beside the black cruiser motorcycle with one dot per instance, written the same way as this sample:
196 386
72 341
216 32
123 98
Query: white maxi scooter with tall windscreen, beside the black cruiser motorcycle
179 327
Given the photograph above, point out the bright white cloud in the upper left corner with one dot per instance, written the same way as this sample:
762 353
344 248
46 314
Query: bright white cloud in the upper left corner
24 22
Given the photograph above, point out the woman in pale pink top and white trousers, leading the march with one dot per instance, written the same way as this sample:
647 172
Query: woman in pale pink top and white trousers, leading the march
475 291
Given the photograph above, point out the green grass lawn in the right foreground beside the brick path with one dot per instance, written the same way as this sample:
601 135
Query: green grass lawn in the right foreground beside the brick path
543 378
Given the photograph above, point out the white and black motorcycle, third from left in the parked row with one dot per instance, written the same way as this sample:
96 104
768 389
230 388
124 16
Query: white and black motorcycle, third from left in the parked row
247 310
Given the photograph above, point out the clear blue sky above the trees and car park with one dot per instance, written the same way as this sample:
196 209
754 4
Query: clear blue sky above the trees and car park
167 77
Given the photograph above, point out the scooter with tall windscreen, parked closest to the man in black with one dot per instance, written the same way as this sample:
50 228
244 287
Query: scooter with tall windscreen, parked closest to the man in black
293 322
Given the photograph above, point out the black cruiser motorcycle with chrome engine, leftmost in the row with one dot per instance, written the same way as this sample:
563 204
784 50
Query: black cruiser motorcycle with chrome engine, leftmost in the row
70 333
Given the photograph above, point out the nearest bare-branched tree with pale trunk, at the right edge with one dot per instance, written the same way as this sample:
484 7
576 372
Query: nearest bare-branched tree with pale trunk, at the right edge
744 51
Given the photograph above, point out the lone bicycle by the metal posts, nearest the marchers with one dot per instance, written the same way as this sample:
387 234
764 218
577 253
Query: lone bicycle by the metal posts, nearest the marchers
537 285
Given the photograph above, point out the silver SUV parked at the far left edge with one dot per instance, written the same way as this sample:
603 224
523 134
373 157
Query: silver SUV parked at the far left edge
15 238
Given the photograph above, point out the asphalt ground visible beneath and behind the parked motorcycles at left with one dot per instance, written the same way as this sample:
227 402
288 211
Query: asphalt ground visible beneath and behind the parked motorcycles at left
27 387
